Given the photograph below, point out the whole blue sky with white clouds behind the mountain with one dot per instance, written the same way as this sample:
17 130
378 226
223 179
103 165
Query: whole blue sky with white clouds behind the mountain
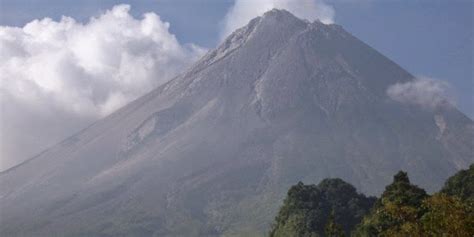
66 63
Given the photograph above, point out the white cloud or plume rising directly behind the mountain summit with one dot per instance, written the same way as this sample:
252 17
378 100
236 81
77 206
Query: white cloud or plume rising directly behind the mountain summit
244 10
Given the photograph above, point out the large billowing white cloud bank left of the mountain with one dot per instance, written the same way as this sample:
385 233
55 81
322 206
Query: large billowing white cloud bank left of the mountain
57 76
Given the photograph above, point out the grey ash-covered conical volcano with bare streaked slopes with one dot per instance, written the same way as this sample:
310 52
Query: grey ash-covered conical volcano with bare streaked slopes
213 151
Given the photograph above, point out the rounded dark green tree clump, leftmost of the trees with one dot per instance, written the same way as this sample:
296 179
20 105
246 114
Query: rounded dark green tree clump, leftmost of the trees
307 209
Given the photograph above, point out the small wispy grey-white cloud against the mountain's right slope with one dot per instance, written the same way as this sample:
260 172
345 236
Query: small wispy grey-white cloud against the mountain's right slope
422 91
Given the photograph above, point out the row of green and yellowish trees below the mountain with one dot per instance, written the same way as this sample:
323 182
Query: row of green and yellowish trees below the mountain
335 208
